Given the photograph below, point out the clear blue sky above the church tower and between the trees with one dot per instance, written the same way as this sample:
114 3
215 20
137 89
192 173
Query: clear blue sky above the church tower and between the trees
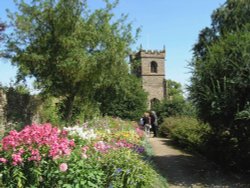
174 24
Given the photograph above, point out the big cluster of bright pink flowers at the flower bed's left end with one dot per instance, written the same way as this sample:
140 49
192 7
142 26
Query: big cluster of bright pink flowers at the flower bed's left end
35 142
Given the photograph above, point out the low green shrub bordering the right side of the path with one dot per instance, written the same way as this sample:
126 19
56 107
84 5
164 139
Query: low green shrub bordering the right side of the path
187 132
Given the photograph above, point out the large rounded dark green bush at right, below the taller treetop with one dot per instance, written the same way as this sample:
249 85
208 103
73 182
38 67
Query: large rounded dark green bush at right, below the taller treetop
220 83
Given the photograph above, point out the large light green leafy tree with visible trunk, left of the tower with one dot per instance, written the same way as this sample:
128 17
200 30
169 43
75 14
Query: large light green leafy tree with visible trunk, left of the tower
69 49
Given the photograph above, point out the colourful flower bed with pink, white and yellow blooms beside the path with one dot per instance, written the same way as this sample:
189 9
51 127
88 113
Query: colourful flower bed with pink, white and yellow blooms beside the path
103 153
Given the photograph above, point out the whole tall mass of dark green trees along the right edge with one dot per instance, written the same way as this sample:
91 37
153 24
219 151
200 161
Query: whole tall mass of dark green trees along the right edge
220 81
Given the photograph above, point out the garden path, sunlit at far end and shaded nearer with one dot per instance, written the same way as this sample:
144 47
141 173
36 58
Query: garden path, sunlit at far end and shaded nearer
184 170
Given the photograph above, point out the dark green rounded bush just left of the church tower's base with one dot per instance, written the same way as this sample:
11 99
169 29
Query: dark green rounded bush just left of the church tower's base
125 98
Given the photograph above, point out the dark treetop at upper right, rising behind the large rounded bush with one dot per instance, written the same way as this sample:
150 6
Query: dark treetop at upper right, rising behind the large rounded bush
231 17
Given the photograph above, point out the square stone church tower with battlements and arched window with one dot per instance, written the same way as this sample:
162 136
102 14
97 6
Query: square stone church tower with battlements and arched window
150 66
